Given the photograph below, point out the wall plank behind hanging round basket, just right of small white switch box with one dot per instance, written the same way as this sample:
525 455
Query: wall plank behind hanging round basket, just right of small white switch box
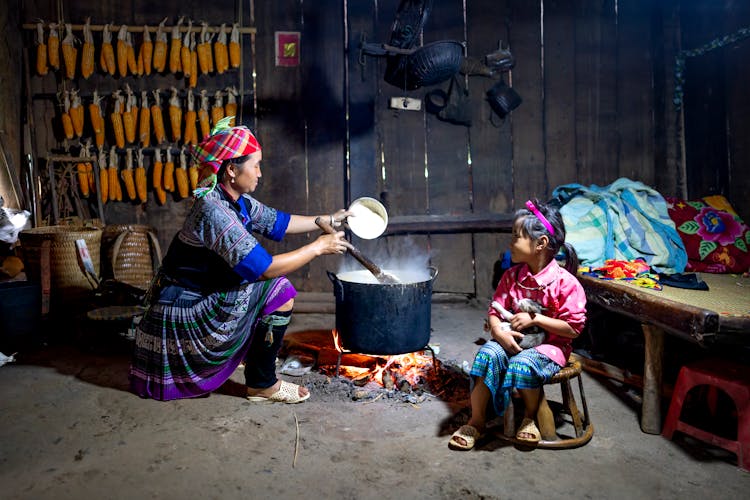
449 187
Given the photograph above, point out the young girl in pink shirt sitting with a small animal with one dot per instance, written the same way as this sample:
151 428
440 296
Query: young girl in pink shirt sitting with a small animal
501 364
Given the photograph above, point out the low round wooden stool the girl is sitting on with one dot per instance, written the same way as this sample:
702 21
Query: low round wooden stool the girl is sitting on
582 426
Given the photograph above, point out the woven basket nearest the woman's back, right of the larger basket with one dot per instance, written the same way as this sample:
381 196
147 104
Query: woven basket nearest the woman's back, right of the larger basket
130 253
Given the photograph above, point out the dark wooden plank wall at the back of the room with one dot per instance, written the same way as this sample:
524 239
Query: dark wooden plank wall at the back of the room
596 79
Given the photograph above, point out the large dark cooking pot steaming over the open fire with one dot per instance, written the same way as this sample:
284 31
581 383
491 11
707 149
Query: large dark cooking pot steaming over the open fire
376 318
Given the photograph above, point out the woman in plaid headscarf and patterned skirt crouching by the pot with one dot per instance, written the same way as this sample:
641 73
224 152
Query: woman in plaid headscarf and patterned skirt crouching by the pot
220 298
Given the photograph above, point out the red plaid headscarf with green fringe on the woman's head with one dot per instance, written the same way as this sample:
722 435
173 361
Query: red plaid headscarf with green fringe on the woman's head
224 143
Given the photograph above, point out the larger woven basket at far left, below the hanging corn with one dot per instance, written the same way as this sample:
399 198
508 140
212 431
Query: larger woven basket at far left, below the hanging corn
69 282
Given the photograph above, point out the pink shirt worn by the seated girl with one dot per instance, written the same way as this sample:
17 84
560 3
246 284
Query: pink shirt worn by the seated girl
563 298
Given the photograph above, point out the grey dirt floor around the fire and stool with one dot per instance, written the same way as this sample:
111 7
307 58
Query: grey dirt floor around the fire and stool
70 429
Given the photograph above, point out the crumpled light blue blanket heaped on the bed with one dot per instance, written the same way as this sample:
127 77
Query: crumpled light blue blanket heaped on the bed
625 220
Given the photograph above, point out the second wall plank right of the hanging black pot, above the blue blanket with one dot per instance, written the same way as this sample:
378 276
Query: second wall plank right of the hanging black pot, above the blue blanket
559 93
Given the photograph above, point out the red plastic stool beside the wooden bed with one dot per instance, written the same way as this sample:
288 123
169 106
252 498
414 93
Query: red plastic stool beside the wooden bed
729 377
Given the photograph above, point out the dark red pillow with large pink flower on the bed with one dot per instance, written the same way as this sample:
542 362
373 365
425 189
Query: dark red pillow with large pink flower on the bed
715 237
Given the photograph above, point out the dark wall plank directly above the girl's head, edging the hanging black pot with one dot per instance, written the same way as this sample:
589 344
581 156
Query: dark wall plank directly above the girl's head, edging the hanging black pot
529 177
